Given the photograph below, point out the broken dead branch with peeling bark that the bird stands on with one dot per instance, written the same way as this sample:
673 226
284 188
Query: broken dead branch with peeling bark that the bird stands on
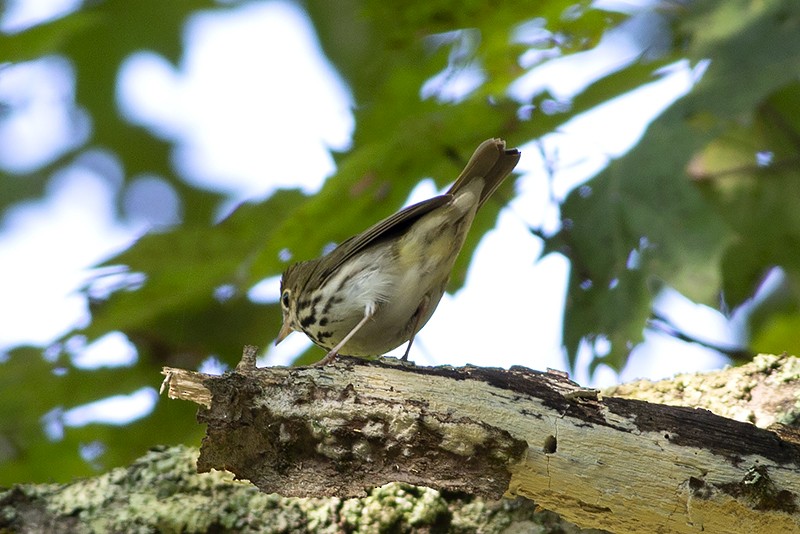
623 465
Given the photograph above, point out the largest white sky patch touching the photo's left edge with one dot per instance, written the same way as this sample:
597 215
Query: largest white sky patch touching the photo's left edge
45 248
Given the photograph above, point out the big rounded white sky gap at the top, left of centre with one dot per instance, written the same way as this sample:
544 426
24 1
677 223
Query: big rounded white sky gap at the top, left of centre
254 106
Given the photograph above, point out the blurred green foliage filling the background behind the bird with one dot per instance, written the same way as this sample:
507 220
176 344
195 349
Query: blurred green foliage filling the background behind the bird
706 202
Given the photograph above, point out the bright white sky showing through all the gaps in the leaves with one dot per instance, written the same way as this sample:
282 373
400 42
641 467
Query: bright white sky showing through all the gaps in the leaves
227 147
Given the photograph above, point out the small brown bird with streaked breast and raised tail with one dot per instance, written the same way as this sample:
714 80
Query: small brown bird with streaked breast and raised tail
377 289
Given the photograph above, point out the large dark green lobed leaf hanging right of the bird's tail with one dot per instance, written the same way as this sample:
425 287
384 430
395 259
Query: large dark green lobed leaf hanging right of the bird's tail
646 194
